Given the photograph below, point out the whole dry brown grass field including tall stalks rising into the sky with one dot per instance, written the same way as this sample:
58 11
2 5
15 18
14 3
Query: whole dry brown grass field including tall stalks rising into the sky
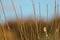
29 29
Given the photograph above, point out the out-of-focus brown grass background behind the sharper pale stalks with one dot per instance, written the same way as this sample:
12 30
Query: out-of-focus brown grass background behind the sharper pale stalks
30 34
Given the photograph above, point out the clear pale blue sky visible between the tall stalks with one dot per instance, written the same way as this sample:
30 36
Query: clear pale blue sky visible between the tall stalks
27 8
